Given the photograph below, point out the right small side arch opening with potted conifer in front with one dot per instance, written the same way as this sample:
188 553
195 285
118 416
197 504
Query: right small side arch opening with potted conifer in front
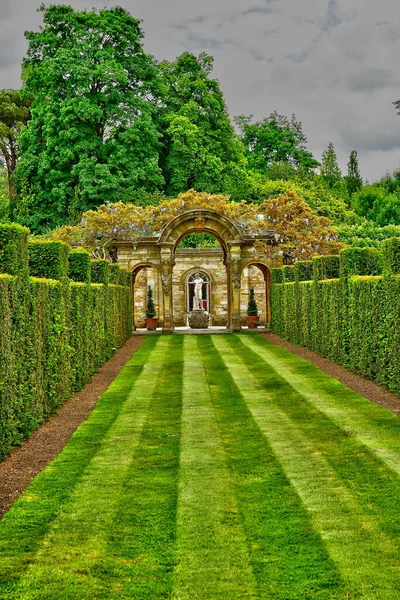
257 276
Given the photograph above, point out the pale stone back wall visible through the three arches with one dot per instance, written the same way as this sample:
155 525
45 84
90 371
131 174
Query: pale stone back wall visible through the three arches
209 261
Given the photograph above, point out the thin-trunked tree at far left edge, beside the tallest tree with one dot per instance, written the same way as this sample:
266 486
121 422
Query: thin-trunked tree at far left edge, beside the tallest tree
14 115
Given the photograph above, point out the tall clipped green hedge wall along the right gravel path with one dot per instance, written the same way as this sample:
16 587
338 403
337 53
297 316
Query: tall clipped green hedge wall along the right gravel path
353 319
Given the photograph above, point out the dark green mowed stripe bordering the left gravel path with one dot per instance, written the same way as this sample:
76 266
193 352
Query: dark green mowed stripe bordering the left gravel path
25 525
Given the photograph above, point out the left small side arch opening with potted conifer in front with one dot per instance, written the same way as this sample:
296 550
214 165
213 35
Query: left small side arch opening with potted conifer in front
143 276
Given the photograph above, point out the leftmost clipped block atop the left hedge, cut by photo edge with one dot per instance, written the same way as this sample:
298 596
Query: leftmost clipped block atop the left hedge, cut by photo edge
13 249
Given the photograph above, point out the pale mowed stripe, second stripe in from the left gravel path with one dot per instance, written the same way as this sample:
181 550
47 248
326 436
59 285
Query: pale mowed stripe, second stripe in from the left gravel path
75 543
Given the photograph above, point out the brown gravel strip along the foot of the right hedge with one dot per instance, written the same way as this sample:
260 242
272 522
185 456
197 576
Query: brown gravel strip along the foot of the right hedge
369 389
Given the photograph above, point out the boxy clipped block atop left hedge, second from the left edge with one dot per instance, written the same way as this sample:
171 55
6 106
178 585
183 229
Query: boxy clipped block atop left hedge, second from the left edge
48 259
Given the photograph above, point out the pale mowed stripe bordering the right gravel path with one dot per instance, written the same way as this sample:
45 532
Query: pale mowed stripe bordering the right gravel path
376 427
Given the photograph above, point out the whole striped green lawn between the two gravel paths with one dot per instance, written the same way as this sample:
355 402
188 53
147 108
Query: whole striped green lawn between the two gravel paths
214 467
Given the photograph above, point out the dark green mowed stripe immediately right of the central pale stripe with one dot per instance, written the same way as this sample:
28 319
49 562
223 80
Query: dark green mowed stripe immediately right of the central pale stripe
288 557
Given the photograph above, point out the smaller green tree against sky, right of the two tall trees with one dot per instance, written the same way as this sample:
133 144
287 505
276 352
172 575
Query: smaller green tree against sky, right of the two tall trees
275 141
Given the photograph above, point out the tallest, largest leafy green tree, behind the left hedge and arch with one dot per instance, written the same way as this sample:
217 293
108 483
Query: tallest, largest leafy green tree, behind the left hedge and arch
92 134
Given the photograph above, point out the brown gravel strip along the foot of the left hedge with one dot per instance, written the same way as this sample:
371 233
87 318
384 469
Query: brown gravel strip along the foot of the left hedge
27 460
